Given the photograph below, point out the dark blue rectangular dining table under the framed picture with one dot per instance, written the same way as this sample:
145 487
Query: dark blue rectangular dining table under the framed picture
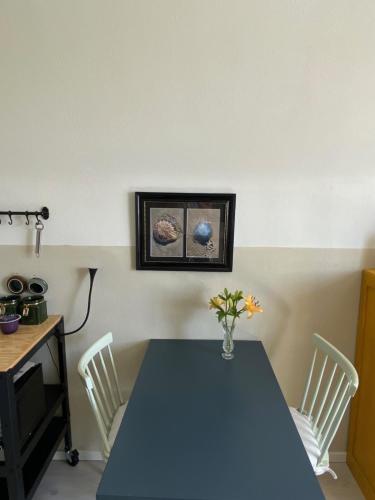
198 427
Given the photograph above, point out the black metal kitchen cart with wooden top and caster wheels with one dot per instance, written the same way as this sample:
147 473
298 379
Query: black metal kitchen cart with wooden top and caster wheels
25 464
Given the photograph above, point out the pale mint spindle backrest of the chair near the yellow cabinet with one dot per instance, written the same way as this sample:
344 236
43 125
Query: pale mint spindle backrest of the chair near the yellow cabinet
330 385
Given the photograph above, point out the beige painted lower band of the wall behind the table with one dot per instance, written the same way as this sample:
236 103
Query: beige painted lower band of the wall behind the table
302 291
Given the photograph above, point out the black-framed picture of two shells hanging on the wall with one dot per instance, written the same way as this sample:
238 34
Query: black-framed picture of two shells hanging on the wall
184 231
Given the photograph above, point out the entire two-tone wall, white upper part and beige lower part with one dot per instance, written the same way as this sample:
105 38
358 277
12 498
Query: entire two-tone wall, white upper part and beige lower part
270 99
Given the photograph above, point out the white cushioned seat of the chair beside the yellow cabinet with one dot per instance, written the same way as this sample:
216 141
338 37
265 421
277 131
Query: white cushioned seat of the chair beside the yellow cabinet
304 427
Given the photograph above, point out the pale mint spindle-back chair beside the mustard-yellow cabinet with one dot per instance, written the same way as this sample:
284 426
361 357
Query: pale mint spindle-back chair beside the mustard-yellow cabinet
324 404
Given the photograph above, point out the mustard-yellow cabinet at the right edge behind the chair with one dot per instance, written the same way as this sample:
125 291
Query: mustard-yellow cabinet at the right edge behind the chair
361 450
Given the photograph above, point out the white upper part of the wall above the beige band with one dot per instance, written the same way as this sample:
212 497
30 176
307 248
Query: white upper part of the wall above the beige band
273 100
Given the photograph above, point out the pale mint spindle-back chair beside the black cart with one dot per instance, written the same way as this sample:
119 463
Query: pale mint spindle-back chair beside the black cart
98 372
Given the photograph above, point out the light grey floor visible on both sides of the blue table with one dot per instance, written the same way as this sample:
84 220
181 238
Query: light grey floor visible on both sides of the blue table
63 482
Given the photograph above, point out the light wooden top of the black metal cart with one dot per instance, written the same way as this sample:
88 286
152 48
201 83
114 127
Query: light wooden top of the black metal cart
15 346
